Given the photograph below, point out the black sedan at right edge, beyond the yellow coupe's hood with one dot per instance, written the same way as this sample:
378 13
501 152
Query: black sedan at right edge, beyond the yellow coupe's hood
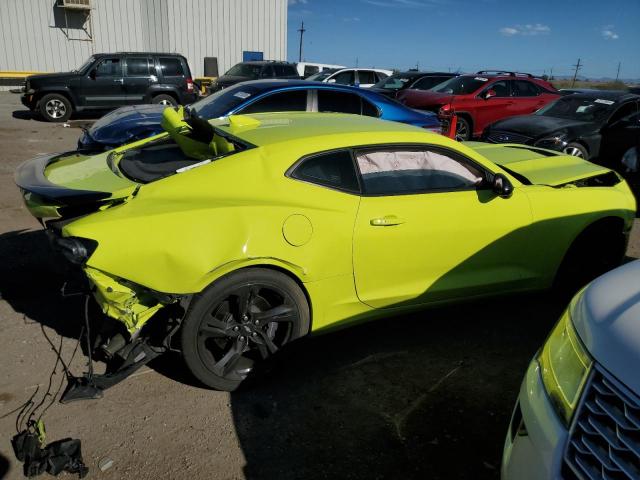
599 126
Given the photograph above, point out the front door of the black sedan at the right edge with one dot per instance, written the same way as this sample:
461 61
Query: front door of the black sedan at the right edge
621 132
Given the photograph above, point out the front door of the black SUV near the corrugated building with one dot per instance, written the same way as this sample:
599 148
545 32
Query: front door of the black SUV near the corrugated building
105 84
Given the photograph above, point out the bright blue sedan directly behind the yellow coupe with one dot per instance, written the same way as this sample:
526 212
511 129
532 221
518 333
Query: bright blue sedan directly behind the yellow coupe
135 122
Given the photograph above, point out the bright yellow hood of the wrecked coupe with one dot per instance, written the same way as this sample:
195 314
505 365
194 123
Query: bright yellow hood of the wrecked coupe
538 166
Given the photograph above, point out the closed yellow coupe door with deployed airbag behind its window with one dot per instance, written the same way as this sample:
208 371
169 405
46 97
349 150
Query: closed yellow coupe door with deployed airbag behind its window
430 229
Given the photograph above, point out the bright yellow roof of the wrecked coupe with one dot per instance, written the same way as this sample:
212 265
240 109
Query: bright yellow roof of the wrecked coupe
266 129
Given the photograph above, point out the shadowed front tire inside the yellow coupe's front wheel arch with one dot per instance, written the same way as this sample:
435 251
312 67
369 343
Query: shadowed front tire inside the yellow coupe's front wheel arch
598 249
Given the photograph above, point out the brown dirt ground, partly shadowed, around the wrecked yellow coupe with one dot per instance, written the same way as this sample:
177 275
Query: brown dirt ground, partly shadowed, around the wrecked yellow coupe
422 396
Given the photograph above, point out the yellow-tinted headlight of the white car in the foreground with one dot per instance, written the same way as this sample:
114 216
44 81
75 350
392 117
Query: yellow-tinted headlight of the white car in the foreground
564 366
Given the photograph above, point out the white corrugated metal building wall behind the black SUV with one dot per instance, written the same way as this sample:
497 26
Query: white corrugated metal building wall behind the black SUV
36 35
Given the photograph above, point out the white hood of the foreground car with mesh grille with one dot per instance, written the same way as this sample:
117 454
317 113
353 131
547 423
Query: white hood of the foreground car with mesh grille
607 318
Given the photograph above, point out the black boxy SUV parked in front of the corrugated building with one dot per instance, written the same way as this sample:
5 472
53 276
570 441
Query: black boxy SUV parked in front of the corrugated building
109 80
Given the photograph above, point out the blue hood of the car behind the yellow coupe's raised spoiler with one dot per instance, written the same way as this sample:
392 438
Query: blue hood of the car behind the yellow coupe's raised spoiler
127 123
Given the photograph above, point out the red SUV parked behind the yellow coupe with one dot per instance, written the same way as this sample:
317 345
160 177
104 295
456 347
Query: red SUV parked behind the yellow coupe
482 99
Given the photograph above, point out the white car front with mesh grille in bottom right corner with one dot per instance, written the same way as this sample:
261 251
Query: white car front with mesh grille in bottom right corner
578 413
